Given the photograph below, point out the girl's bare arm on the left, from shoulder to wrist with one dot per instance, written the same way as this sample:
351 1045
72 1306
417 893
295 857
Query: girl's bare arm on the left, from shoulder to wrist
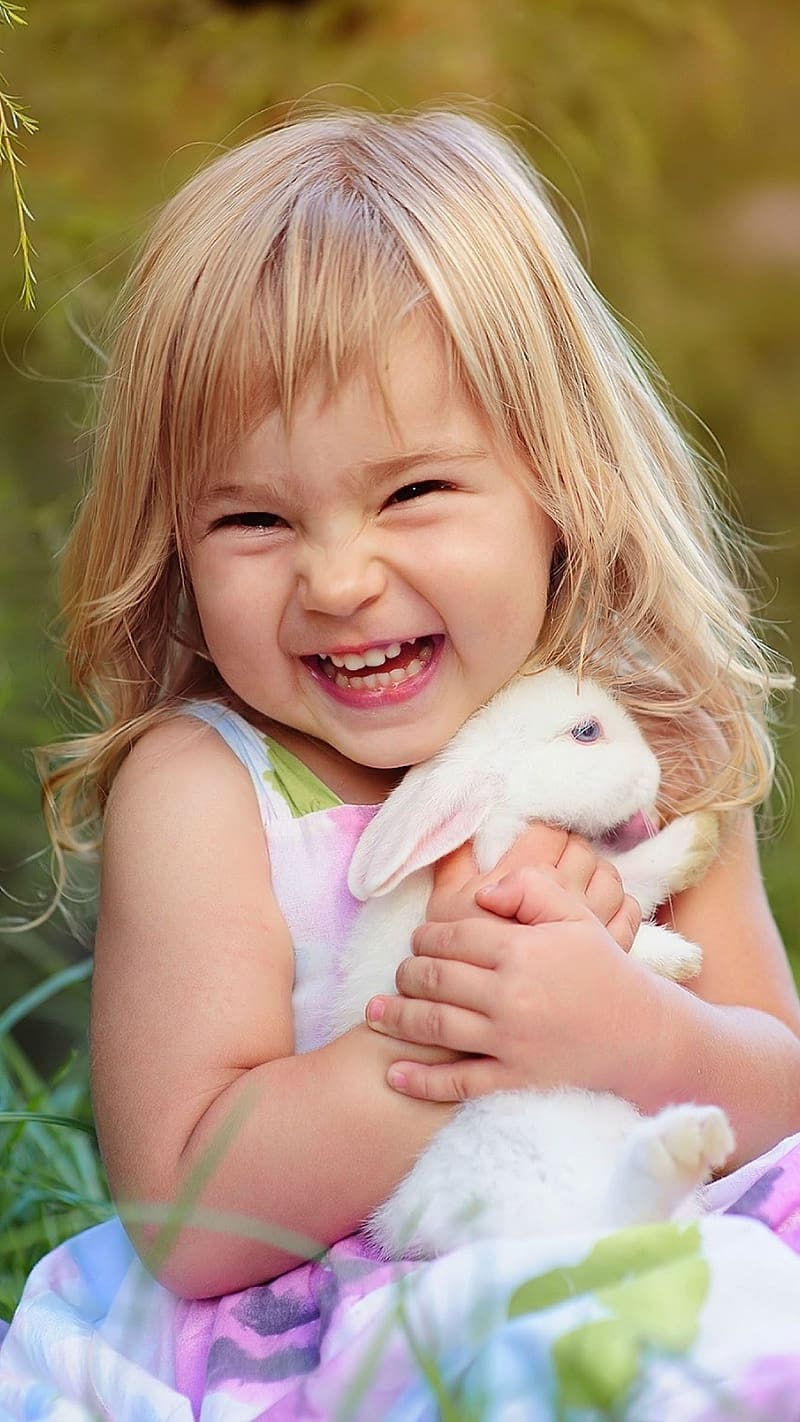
193 1036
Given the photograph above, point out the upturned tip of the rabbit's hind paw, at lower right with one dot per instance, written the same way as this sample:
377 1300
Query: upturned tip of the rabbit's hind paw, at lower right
684 1144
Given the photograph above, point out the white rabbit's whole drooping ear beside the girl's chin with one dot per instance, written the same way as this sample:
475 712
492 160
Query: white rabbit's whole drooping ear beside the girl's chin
426 818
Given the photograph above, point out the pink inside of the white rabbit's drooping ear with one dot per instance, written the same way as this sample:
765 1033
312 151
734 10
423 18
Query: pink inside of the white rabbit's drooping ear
458 821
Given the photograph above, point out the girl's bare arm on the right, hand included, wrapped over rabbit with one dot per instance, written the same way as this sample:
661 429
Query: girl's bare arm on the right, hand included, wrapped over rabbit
553 1000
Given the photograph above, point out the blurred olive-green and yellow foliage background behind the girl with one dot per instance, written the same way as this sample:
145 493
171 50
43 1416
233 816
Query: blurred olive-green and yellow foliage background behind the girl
667 126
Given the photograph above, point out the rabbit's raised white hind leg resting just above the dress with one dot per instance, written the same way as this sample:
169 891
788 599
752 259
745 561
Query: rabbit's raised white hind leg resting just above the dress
666 1160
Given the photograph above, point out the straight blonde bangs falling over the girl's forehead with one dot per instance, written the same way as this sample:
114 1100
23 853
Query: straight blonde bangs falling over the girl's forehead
268 321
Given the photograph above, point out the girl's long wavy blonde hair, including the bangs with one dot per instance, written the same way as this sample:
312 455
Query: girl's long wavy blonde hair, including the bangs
298 257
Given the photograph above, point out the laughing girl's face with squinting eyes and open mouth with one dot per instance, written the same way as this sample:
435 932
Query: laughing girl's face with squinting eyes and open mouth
367 582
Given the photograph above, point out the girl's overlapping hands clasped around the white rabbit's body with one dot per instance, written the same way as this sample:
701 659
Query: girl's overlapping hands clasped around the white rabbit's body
532 1002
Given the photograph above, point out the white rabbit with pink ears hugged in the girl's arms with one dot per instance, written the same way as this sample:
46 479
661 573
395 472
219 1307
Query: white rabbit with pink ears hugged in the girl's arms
532 1162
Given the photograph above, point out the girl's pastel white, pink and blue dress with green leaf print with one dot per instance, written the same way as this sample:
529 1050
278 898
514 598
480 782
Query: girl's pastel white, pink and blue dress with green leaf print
673 1323
